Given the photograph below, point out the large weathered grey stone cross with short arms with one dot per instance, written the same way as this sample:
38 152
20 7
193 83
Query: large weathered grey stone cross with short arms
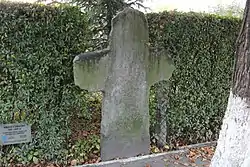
124 72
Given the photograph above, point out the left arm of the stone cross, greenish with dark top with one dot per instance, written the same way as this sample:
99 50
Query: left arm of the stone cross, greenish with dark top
91 70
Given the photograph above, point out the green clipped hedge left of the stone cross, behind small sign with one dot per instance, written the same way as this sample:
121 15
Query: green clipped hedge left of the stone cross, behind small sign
36 47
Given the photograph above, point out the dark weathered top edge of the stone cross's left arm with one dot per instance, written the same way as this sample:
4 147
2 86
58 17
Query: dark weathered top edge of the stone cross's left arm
91 55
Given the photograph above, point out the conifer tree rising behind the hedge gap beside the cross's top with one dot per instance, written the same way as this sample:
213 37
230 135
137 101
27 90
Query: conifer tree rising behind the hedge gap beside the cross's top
100 14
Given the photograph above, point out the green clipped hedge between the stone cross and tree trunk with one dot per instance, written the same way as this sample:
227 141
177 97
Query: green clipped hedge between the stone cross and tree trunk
202 48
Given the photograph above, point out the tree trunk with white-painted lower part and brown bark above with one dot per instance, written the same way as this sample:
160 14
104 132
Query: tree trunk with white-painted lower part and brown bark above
233 148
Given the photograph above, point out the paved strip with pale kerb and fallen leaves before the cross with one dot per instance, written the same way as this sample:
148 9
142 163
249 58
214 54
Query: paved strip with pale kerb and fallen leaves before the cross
197 156
